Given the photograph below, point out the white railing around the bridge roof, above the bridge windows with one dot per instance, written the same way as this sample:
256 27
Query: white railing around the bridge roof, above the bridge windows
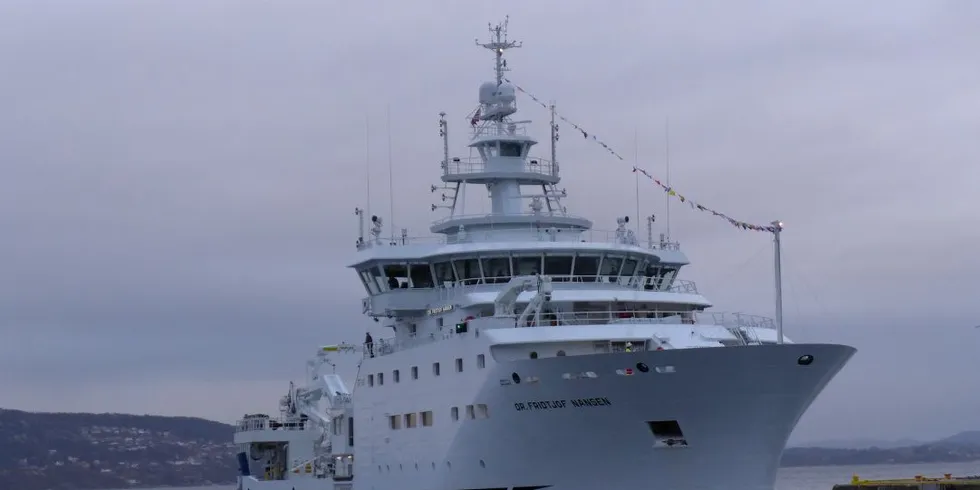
510 233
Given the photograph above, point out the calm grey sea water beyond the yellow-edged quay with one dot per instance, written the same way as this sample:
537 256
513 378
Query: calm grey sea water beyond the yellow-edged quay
824 477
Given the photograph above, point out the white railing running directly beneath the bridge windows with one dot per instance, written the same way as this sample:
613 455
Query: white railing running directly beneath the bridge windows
641 282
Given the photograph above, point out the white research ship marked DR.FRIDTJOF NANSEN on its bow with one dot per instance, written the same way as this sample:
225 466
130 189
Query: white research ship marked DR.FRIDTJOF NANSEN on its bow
521 349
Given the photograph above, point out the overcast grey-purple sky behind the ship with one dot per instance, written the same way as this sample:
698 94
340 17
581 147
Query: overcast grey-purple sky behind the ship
179 178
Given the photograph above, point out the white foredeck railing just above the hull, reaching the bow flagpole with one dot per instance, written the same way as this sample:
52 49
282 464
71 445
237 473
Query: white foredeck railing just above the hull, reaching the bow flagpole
735 322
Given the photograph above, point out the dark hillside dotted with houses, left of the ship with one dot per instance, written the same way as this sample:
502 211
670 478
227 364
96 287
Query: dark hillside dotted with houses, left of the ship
67 451
